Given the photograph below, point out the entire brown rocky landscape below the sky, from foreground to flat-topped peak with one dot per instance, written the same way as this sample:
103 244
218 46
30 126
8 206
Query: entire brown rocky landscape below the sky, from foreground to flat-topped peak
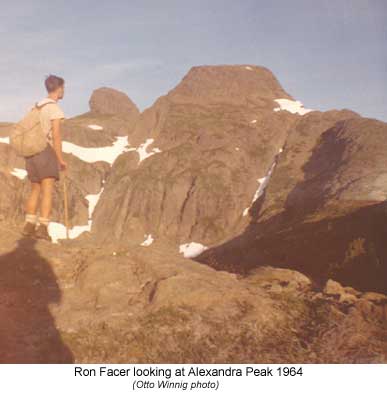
281 209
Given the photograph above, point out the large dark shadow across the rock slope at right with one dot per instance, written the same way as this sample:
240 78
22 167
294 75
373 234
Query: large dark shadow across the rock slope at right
345 240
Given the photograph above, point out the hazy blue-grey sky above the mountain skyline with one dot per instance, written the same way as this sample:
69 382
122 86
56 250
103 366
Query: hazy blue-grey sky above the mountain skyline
326 53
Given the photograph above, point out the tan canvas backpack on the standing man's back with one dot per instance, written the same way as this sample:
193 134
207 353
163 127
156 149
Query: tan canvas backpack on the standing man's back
27 136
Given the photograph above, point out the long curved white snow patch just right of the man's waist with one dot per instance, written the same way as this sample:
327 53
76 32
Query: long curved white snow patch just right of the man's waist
94 154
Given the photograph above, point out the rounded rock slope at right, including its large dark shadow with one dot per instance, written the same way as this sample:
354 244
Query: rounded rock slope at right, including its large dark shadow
324 210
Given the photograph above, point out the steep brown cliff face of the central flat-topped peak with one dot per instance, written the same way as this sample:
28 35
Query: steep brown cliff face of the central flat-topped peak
210 139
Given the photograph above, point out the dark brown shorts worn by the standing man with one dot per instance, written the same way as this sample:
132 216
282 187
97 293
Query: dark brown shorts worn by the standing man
42 165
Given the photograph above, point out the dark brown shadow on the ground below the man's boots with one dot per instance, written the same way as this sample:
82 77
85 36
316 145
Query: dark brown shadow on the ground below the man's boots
27 328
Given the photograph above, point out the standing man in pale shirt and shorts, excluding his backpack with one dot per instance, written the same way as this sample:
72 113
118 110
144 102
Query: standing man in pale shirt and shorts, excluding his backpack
43 168
